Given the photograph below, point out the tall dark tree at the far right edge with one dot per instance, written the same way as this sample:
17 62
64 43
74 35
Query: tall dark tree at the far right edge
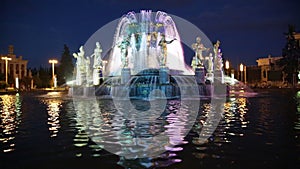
291 56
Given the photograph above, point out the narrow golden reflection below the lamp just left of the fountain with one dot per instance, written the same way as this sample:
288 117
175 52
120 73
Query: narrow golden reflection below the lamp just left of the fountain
54 103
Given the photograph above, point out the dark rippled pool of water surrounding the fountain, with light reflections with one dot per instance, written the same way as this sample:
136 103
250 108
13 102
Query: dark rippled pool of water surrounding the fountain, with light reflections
51 130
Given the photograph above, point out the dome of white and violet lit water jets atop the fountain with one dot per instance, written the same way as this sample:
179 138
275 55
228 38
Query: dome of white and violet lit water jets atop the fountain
147 40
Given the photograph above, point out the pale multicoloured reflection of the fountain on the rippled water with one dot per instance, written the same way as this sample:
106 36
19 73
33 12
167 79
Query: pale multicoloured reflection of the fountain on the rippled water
101 123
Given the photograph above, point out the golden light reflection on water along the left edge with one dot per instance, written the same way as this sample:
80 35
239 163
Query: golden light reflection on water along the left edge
10 116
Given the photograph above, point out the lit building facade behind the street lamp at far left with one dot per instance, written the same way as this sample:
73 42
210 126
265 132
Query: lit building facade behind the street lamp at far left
16 66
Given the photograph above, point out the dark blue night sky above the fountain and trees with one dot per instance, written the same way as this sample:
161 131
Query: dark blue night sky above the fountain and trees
247 29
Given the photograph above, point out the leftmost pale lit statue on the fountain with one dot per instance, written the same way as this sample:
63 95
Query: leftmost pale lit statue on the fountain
80 65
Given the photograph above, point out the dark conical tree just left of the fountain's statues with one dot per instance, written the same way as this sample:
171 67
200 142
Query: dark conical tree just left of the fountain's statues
66 67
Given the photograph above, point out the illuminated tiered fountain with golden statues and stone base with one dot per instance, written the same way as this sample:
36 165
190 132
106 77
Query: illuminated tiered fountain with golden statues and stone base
146 55
